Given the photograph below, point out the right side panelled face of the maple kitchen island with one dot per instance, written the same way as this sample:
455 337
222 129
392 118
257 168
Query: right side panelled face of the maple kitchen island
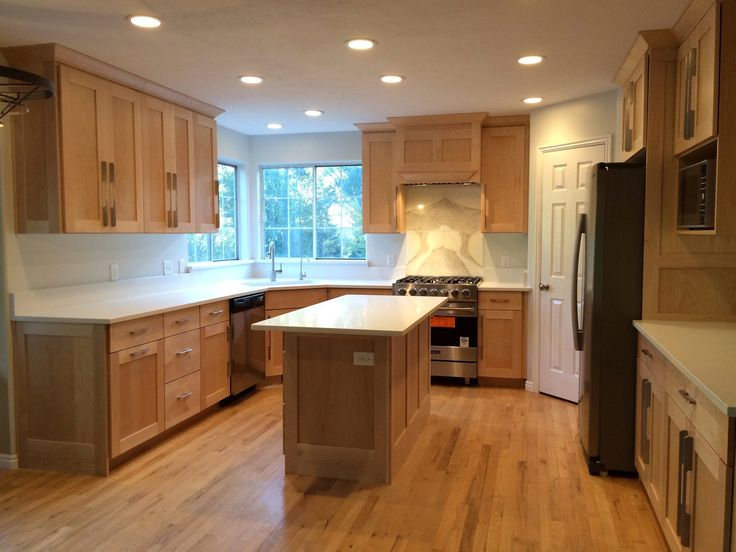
410 379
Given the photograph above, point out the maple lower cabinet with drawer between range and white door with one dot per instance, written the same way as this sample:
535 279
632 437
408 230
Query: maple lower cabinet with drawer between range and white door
501 356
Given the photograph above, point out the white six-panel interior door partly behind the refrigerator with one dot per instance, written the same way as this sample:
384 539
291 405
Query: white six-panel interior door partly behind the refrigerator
566 173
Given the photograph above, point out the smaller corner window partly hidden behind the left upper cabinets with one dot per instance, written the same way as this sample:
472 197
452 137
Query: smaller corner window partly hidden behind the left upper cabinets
223 245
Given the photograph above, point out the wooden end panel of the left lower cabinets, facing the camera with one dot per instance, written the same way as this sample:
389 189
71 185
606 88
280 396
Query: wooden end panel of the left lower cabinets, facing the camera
61 397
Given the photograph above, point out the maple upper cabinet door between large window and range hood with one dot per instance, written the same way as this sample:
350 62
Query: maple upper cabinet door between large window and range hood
381 198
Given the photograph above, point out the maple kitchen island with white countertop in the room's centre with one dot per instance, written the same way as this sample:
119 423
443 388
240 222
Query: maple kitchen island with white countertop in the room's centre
356 384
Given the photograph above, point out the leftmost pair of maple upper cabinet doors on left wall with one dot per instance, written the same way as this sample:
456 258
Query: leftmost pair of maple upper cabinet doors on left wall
101 157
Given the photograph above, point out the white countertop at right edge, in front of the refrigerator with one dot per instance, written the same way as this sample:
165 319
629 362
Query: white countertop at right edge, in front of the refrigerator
704 351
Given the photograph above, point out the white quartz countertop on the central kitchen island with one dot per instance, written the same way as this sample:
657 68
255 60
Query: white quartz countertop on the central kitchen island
383 315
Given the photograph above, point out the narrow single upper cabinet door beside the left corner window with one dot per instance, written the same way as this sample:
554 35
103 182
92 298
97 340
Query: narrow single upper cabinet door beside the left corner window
206 186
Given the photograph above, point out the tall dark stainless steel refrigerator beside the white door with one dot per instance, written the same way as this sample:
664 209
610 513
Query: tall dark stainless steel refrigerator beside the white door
608 293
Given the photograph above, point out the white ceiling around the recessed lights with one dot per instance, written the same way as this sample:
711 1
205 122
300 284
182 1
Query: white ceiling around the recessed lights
457 55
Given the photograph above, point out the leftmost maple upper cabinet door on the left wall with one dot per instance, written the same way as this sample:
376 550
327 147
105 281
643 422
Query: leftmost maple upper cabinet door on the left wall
84 171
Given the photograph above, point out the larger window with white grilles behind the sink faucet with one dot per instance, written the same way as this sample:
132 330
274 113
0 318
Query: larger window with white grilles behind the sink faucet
314 211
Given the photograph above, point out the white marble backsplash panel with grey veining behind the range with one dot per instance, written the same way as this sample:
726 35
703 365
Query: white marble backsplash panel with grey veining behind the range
443 234
